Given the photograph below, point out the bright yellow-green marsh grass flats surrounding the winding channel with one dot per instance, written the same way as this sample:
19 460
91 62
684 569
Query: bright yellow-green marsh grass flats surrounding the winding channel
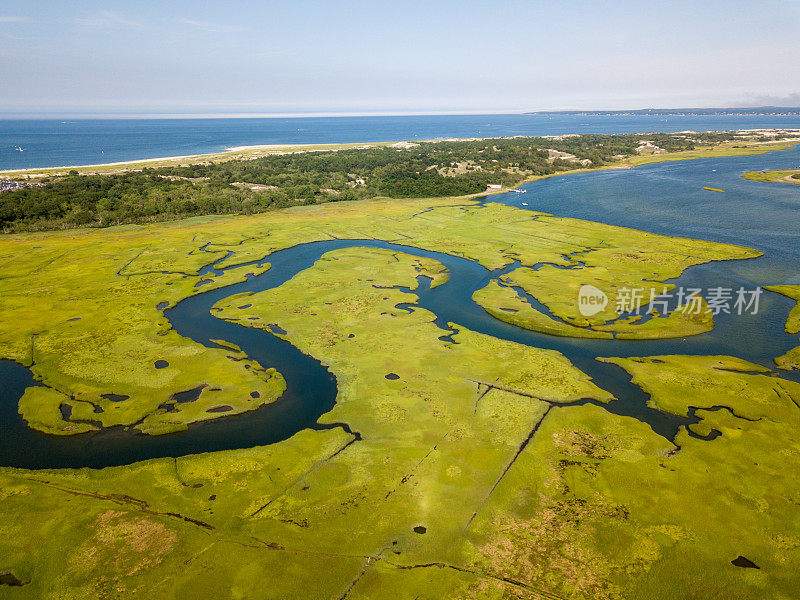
468 469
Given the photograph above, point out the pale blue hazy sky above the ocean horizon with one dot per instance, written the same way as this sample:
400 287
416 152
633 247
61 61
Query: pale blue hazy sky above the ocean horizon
400 56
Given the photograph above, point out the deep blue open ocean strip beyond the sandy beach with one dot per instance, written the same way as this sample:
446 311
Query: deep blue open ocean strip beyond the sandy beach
55 143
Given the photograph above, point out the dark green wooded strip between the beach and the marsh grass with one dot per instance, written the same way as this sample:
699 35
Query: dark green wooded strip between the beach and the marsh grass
428 169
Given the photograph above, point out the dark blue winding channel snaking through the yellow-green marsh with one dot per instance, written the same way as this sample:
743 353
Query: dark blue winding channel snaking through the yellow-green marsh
311 388
